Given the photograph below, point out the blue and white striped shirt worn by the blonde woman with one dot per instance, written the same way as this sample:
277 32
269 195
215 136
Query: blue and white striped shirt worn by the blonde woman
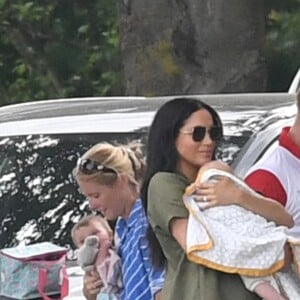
140 280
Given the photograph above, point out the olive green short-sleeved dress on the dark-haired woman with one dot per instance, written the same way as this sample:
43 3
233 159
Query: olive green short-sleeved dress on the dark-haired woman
185 280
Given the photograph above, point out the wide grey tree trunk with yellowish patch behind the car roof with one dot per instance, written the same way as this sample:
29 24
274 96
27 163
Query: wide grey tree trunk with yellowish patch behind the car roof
172 47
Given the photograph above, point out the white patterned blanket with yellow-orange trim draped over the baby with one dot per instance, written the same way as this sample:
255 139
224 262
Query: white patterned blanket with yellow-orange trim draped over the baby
234 240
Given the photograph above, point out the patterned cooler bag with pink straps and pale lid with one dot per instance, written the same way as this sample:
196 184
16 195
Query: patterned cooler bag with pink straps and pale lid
34 271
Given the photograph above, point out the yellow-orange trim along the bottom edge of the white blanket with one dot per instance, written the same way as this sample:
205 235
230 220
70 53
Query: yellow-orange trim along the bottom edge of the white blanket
242 271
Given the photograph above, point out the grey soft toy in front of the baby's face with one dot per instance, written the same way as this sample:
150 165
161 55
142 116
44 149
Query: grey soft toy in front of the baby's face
88 252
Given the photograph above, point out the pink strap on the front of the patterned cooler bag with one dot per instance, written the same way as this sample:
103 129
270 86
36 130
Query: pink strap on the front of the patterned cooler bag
64 290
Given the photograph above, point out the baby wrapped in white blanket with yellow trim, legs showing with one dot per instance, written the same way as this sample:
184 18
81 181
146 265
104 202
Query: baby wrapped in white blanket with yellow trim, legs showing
234 240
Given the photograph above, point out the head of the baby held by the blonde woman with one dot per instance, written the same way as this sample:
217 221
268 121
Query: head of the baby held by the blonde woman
91 225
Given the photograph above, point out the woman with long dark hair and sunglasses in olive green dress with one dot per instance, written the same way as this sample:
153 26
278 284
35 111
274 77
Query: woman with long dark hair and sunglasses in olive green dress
183 136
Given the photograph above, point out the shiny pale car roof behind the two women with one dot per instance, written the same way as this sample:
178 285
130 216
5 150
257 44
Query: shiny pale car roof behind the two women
123 114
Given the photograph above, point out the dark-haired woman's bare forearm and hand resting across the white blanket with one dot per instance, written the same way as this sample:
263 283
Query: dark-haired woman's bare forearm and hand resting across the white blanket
225 192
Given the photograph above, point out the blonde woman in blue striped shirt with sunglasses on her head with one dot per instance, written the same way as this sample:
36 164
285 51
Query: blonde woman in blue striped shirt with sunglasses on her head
109 177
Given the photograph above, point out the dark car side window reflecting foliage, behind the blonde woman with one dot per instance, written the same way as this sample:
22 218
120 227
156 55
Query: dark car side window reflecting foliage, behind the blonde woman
38 195
